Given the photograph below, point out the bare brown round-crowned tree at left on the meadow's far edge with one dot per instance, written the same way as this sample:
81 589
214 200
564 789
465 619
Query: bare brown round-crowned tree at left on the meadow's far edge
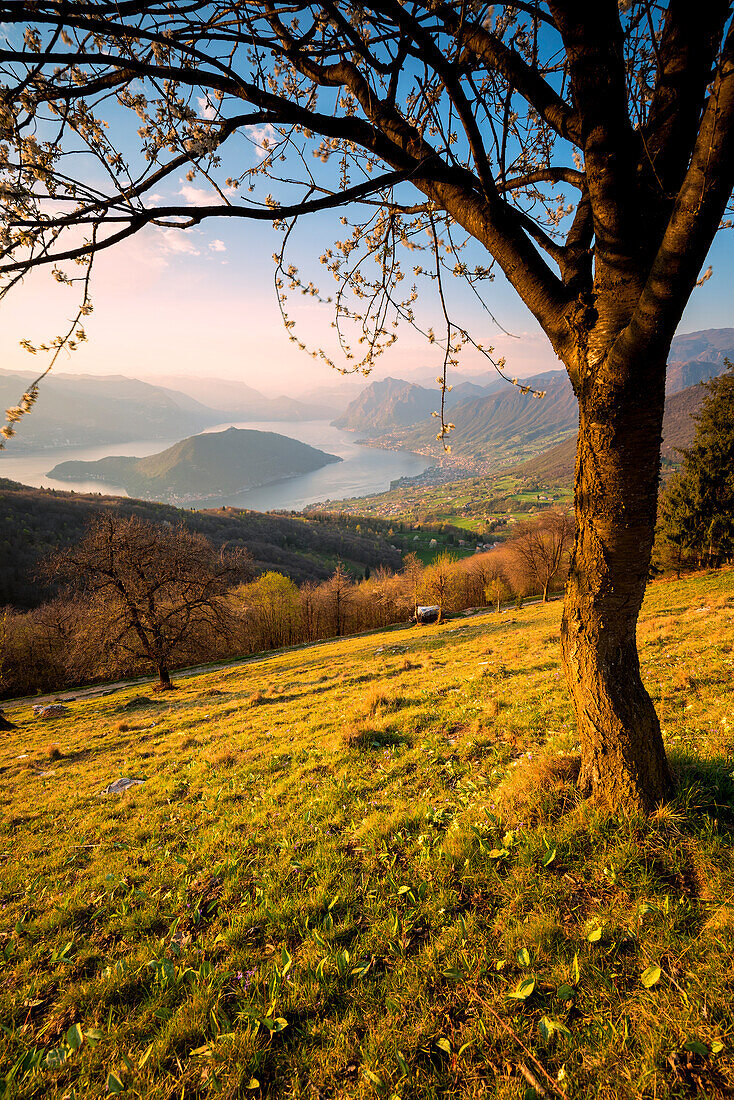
151 588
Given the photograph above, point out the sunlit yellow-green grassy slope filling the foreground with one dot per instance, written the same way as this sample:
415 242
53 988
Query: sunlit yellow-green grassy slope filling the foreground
360 870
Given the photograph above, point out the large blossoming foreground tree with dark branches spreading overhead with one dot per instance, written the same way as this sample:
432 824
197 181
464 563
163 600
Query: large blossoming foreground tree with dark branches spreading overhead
587 152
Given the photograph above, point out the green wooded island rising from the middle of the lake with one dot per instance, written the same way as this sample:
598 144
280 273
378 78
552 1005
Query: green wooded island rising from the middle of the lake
202 468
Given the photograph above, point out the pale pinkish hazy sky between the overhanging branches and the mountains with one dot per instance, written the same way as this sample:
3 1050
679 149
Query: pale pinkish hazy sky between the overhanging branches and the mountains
203 303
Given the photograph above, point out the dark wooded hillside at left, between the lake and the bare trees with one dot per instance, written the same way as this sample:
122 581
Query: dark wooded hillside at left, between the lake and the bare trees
36 523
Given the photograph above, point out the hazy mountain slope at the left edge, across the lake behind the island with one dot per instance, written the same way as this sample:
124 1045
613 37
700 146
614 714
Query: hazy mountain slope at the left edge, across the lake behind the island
80 410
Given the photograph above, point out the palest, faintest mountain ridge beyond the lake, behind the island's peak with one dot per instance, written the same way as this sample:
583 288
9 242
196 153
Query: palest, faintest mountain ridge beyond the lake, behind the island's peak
236 400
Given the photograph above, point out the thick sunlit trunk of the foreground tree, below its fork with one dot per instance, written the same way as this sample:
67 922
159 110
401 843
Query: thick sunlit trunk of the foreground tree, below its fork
623 762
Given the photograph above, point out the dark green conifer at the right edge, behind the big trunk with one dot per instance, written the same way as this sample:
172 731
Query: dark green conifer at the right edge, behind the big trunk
698 505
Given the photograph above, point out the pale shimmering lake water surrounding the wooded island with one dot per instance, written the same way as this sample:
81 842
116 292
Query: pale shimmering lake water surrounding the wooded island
365 470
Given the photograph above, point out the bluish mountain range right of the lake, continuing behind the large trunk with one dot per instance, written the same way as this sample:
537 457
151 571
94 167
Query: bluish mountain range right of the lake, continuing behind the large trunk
499 420
